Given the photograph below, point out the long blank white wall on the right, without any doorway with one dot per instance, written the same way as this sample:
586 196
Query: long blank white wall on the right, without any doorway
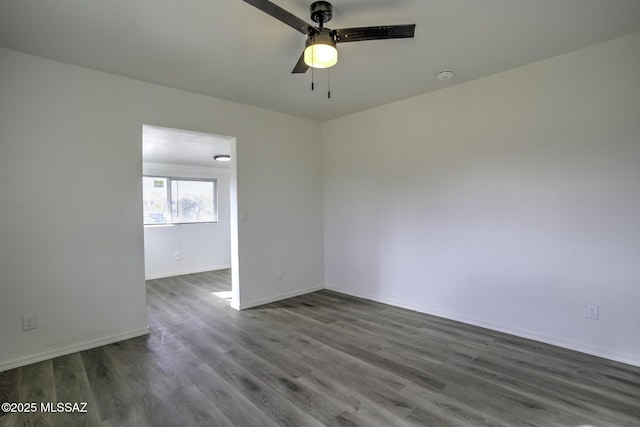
509 202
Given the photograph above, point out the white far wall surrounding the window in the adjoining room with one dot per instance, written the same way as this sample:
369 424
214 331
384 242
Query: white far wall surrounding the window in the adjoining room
202 247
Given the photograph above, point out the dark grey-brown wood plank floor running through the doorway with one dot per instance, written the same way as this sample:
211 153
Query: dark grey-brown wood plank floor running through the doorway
319 359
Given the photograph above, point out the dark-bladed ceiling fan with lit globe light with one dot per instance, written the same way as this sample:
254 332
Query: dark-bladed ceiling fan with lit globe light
320 48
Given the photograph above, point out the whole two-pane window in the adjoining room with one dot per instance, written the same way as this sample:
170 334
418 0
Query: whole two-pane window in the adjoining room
178 200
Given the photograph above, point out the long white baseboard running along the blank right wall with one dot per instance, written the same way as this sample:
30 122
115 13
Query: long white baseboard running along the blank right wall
558 342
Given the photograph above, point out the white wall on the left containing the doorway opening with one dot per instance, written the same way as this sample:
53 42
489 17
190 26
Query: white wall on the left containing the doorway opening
71 235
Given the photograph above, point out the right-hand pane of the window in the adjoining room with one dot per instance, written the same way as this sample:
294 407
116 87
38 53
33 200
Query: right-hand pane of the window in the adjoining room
193 201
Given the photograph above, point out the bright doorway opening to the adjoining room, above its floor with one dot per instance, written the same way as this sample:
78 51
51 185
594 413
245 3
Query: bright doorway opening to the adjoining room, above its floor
190 204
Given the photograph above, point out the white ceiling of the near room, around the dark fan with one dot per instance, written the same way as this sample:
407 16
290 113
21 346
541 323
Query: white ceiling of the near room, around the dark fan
229 49
